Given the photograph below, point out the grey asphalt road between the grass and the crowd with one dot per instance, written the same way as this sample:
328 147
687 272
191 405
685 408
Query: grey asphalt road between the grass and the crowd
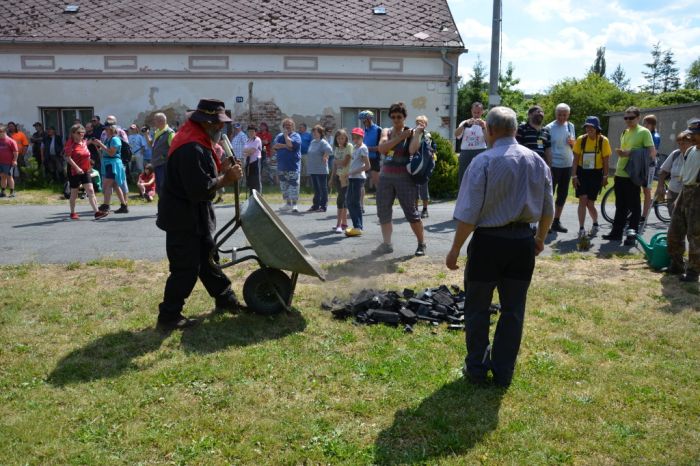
45 234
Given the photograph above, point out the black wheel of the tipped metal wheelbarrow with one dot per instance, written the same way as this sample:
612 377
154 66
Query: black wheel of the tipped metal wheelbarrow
263 289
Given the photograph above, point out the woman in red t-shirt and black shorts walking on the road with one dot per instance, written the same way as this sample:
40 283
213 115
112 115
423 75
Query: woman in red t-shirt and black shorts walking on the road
79 168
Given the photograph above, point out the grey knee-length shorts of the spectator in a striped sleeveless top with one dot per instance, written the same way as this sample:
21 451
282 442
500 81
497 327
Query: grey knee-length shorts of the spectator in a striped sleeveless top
401 187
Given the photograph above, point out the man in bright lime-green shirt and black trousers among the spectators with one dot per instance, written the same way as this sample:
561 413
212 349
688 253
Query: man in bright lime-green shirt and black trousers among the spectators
627 194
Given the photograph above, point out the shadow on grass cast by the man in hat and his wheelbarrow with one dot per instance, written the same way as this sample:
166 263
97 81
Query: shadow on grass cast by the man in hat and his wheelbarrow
112 354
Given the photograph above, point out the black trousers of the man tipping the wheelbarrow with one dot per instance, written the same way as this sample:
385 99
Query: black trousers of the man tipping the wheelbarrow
188 255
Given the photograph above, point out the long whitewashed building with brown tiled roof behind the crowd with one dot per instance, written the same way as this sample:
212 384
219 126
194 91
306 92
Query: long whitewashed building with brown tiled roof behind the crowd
314 61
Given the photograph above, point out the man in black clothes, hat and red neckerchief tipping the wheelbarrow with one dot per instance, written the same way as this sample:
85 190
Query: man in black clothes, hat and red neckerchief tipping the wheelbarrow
186 213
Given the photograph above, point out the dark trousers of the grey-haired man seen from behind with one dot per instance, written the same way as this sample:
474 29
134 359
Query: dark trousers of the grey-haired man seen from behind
506 263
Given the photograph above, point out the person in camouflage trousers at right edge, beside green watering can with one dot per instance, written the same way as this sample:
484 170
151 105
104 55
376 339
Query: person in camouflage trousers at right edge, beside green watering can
685 221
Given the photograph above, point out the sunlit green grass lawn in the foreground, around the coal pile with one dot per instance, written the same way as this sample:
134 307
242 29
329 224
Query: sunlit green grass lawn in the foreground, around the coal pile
608 373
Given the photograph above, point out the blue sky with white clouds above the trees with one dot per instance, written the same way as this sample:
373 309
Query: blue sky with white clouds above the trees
549 40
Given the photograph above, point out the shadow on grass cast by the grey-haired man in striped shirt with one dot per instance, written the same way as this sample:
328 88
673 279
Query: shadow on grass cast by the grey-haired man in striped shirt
448 423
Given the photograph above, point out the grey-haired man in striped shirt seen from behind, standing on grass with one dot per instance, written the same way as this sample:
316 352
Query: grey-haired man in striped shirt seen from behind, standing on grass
507 188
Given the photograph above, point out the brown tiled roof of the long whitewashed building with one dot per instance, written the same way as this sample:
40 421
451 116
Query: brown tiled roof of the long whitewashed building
310 22
